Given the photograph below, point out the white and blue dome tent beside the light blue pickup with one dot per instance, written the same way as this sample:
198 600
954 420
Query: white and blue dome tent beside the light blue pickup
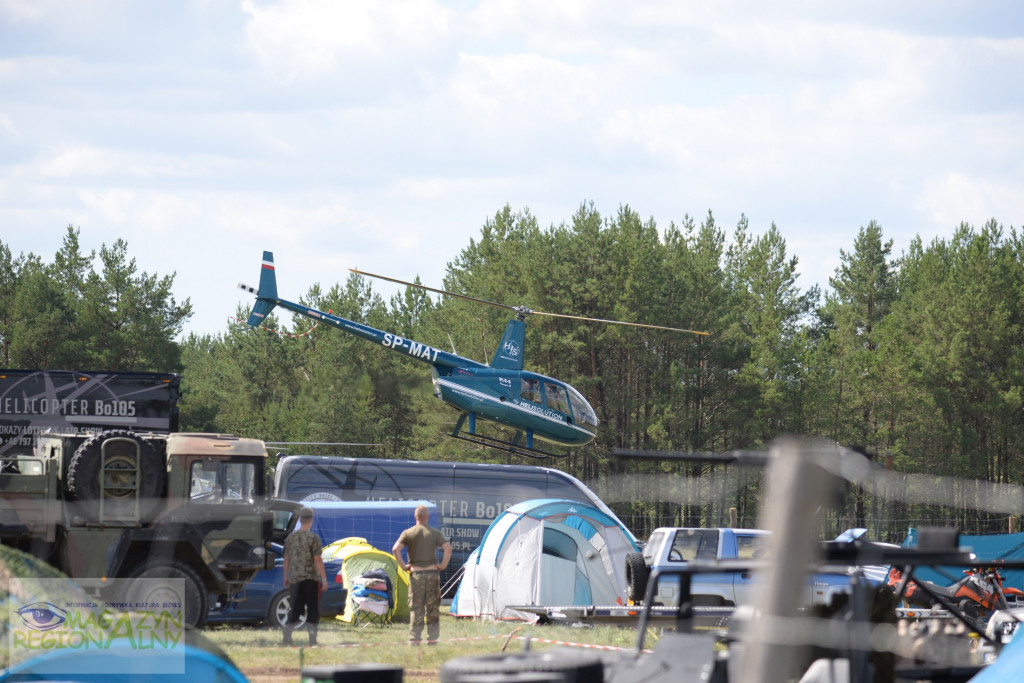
546 552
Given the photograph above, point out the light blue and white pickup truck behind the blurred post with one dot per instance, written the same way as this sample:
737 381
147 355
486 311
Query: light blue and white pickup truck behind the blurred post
674 547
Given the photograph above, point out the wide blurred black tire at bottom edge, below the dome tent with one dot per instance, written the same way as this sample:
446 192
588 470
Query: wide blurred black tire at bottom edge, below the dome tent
573 667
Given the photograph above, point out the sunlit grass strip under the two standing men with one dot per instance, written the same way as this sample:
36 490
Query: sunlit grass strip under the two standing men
259 653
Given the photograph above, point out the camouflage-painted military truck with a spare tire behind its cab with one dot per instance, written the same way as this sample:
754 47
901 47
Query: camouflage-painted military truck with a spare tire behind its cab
119 504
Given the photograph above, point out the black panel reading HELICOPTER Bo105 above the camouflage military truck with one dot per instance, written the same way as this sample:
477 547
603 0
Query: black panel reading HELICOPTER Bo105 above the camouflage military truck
37 401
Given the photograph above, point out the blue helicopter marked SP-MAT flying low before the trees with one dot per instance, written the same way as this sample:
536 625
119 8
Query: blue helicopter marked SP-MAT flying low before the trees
534 406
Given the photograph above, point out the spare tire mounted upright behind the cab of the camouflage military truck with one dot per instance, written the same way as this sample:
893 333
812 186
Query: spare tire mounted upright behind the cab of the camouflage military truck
108 469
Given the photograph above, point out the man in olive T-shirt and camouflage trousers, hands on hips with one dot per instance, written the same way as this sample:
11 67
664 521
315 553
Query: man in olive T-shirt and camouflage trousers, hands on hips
421 543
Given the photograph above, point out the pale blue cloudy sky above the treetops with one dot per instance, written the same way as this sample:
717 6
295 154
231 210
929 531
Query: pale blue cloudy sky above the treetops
381 135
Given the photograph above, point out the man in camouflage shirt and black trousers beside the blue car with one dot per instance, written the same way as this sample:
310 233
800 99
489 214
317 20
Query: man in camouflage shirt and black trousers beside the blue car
305 576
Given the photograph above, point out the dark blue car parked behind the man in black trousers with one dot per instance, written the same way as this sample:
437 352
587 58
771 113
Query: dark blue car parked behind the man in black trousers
266 600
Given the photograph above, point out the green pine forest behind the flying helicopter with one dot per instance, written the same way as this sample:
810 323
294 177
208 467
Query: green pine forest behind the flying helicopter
916 360
